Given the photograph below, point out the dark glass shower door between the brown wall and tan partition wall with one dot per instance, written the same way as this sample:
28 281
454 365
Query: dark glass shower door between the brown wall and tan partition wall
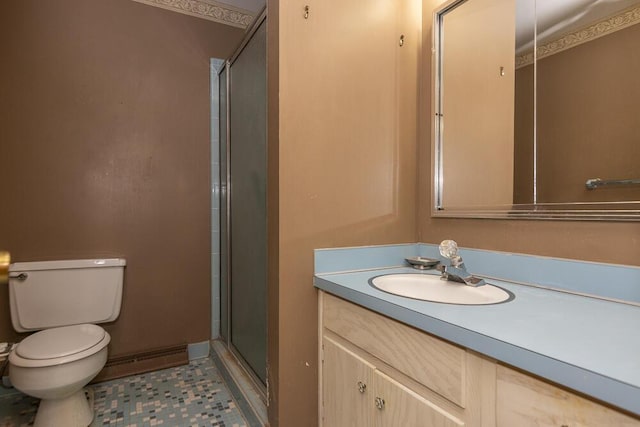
246 173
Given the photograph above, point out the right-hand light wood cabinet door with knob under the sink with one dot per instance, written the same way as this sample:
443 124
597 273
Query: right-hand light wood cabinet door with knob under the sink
397 405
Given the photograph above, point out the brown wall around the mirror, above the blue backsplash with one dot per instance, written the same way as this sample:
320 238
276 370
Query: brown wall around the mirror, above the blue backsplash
595 241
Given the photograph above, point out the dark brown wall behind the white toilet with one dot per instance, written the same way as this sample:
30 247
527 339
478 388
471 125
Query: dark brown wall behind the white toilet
104 134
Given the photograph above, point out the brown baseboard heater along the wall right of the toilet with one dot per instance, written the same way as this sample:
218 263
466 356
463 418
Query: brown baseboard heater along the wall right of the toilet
138 363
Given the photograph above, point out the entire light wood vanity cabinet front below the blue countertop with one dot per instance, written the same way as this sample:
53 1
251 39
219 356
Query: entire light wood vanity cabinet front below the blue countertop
376 371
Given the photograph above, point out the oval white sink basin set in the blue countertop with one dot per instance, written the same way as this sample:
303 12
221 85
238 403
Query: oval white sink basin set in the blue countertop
431 288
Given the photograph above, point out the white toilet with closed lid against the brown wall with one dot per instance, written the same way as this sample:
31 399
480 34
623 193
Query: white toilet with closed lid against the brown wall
63 300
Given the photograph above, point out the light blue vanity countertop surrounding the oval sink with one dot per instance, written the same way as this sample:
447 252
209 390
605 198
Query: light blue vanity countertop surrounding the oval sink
587 344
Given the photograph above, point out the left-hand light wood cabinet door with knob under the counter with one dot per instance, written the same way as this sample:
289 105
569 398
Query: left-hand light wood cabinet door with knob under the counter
347 389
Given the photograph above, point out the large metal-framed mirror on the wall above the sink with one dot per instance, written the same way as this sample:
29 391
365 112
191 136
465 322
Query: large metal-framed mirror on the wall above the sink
537 109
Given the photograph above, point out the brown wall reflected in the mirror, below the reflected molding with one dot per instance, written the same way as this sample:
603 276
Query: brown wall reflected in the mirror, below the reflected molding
588 121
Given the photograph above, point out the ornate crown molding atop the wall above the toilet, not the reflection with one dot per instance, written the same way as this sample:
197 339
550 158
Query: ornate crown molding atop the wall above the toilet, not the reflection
206 9
